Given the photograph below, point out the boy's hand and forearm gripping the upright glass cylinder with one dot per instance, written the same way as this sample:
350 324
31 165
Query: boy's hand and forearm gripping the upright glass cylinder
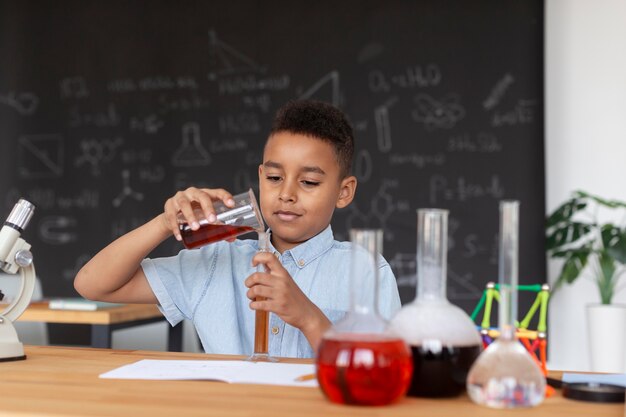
286 299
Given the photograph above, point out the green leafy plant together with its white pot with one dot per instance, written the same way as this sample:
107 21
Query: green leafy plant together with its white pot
597 249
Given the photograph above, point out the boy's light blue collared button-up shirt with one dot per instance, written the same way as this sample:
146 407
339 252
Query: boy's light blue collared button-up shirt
206 285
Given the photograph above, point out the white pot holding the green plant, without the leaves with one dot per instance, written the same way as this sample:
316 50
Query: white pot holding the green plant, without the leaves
606 330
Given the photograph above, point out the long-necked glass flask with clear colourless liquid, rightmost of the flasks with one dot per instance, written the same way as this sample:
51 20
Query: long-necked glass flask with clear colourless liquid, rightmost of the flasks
505 375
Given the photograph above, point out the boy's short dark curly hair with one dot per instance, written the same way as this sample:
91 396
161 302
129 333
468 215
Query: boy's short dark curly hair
321 121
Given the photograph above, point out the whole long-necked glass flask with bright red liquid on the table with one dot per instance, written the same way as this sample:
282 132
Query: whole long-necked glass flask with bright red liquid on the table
358 361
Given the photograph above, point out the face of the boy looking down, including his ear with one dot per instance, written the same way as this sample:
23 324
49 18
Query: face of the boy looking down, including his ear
300 186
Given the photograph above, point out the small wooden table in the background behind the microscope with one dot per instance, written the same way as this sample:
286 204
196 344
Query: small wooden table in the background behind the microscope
104 321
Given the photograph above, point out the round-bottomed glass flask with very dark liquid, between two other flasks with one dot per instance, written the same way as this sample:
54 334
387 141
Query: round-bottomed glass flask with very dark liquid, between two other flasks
443 339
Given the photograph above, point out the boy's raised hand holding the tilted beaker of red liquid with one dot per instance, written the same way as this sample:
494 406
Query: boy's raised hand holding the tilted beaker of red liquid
183 202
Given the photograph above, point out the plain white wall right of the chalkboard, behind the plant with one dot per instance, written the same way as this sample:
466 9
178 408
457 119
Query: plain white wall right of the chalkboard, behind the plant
585 140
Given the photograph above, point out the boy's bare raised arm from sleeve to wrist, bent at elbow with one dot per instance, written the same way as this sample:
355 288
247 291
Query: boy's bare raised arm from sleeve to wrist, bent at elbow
115 274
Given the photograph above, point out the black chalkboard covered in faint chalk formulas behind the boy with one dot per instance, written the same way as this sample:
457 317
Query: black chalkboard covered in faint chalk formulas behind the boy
107 108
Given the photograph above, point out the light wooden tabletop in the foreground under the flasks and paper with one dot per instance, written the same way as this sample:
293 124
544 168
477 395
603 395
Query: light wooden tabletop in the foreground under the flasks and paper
56 381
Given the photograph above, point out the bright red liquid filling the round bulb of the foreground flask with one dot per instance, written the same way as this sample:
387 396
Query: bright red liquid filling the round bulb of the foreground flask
364 369
